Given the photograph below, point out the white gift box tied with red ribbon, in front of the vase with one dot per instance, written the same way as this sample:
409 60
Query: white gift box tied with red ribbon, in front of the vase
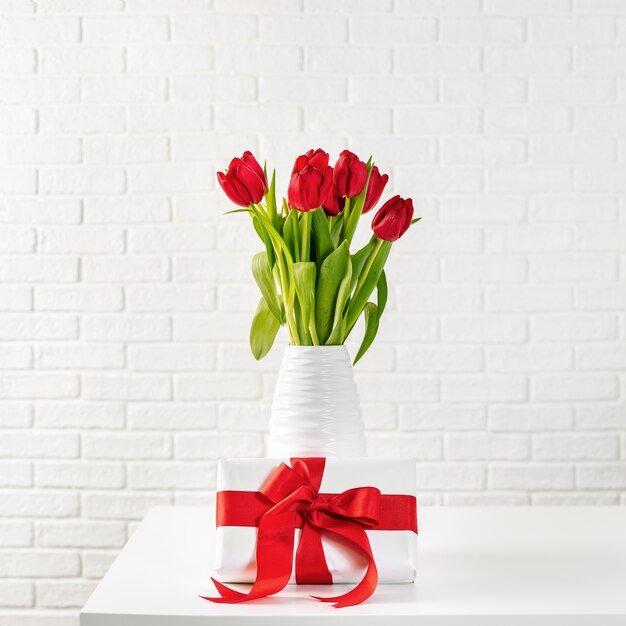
333 503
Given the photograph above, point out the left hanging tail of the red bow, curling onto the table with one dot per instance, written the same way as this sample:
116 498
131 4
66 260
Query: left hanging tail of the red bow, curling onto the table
274 555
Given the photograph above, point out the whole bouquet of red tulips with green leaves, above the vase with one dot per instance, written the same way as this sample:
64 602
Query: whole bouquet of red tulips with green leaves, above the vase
309 279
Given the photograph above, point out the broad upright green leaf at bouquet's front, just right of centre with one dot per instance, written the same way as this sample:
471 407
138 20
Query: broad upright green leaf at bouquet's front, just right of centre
333 271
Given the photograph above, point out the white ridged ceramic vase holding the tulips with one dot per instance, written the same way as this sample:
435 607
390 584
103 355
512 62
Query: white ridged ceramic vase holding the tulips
316 409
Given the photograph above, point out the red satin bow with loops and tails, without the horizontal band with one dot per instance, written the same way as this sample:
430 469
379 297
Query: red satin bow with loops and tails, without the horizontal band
296 501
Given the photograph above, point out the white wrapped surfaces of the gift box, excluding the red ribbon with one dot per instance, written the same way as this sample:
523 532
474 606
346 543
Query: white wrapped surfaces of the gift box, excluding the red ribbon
394 550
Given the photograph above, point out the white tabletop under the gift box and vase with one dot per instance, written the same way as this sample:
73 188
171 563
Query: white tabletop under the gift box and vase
476 567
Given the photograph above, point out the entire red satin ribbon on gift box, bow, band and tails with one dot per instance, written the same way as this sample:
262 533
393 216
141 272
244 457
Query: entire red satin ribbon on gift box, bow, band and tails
290 499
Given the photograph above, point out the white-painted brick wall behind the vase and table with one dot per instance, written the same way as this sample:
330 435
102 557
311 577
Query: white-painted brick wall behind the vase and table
126 295
